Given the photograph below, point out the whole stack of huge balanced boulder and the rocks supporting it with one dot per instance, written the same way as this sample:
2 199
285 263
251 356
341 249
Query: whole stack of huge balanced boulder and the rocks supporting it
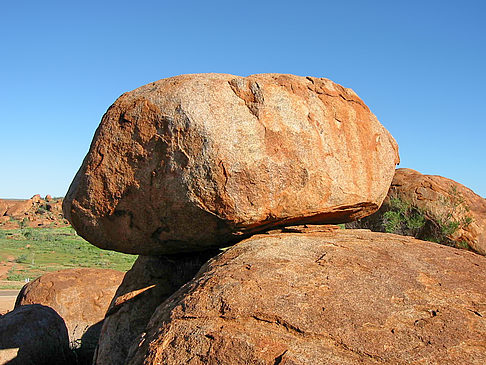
227 187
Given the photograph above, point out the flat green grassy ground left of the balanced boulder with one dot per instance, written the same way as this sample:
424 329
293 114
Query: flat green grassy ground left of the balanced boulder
30 252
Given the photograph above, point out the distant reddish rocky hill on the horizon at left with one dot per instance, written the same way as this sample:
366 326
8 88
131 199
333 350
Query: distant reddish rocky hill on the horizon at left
33 212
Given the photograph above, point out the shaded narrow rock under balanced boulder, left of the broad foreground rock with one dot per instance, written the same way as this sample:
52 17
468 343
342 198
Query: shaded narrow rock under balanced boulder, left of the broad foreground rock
150 281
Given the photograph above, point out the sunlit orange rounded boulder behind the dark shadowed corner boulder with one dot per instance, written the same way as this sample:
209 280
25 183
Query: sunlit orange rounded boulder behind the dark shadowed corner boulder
80 296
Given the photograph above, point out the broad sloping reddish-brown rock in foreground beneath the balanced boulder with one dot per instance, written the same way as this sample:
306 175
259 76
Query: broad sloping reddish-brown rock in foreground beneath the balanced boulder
335 297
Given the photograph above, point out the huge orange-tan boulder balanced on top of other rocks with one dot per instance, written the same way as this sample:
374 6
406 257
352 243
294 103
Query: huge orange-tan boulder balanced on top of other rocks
204 160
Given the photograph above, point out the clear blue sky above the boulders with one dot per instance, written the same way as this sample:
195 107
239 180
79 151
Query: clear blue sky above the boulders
419 65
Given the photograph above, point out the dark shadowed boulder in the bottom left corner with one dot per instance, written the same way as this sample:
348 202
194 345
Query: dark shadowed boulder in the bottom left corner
34 334
